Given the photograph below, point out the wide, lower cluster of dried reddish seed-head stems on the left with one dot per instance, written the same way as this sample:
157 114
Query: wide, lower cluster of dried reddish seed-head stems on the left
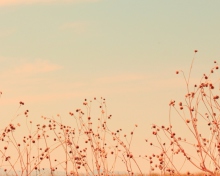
85 145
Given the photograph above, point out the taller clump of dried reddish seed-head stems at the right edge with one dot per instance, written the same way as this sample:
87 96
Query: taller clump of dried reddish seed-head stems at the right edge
200 118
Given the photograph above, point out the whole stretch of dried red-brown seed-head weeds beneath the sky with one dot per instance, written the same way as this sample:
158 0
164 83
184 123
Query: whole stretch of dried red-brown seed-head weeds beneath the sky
89 146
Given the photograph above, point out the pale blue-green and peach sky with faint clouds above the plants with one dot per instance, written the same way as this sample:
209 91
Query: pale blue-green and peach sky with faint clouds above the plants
56 53
